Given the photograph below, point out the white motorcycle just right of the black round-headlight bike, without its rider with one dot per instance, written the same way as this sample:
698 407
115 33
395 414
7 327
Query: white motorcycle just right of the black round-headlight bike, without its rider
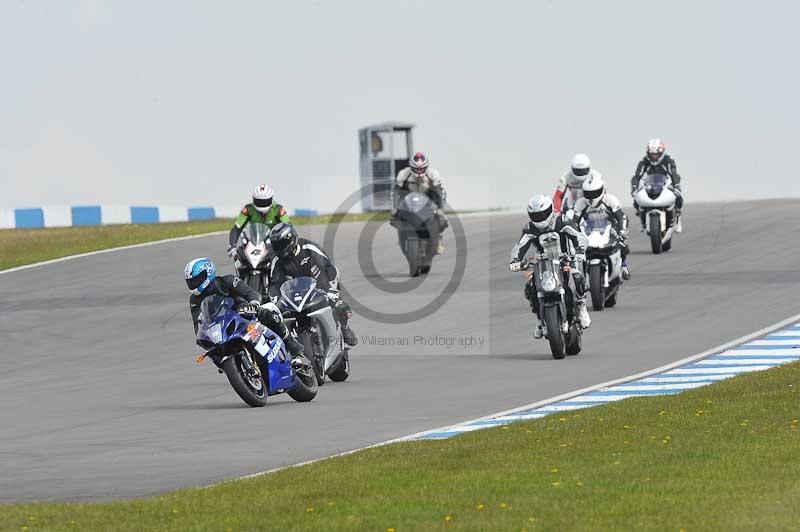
603 260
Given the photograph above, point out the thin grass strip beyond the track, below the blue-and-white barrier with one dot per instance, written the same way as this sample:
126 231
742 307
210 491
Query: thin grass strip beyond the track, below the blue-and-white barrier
26 246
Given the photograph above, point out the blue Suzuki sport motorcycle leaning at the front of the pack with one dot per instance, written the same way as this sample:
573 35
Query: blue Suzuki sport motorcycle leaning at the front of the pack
252 357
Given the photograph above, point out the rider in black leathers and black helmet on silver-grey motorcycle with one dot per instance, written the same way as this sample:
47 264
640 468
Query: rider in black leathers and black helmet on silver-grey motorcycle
298 257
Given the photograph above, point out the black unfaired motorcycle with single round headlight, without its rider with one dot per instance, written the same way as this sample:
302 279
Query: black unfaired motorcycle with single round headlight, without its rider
555 291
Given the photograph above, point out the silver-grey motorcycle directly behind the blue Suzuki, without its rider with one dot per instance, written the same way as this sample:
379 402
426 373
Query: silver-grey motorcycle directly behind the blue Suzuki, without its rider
309 316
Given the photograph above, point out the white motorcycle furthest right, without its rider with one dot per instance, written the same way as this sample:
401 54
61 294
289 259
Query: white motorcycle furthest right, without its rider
656 202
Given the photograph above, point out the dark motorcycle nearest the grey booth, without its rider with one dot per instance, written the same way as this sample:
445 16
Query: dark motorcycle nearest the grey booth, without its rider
417 229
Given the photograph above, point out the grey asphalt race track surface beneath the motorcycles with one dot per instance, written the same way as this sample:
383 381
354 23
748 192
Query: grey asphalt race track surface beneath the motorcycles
101 397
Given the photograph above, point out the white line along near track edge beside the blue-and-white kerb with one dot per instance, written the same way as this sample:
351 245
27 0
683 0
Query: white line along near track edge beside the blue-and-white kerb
412 437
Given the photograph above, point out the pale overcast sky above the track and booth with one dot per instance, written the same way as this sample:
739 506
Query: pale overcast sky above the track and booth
194 102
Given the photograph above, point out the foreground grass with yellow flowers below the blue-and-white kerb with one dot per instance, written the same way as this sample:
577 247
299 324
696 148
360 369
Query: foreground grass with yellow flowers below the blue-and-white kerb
721 457
